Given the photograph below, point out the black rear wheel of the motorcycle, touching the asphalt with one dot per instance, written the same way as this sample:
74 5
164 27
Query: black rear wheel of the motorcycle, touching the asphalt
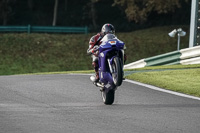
108 97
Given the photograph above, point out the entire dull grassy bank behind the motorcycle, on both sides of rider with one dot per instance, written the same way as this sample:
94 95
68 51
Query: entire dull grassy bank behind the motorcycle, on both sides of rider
33 53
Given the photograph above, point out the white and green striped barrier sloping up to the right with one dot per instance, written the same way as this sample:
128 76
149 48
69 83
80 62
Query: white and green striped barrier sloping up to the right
184 56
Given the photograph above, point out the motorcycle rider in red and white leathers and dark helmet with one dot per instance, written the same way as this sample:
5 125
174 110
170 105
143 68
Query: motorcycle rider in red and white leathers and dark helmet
94 43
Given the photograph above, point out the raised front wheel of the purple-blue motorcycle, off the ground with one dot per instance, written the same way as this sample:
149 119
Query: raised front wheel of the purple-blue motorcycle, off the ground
117 71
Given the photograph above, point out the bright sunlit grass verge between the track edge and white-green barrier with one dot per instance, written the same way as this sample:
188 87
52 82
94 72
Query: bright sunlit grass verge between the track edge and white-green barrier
179 78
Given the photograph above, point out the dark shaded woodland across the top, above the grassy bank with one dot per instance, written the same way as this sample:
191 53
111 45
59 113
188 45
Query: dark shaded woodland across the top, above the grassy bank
125 15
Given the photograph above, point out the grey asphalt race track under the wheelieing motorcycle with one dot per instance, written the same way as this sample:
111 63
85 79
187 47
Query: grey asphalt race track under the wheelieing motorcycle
64 103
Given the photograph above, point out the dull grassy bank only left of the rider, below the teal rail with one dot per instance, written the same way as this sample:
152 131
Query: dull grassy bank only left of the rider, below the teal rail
24 53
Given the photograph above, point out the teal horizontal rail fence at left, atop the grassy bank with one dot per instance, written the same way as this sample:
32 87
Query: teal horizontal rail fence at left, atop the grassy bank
45 29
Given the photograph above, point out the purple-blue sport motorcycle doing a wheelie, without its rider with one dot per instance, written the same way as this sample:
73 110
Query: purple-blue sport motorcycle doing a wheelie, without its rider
111 62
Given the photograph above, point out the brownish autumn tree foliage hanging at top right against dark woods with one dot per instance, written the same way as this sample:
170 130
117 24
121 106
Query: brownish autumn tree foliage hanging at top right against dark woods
139 10
